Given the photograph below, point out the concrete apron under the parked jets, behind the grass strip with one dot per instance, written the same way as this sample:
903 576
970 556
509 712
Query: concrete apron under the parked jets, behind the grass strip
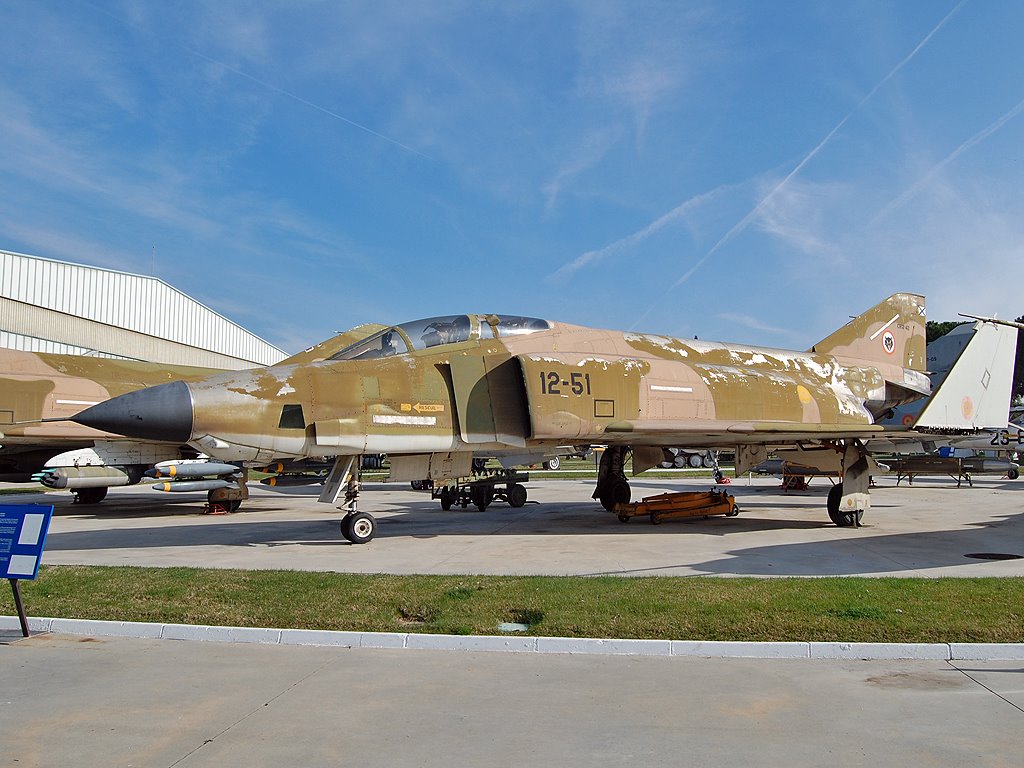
926 531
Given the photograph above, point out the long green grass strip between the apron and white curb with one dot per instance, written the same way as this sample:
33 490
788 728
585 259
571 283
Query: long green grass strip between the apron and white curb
847 610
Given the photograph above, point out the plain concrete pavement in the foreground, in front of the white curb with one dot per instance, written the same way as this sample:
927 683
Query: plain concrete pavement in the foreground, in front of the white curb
114 702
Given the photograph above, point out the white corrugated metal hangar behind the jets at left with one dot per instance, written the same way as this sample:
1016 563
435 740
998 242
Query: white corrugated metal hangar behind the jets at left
58 307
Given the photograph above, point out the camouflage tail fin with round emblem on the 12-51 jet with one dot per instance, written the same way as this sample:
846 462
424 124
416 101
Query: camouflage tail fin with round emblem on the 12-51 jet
892 332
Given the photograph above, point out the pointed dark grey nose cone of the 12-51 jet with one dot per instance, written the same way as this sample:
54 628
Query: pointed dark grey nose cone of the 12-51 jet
160 413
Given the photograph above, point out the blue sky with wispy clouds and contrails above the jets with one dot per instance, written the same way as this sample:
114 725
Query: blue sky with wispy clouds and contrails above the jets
742 172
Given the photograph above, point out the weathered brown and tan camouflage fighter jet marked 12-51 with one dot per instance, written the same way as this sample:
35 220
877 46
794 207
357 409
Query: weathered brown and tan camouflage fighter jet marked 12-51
433 393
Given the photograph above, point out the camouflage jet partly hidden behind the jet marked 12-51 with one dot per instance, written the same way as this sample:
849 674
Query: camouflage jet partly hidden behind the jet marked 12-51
39 393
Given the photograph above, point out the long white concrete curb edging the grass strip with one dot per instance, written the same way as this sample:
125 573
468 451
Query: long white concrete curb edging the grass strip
527 644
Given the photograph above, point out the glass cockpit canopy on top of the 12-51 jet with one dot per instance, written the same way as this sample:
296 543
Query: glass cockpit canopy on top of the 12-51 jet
434 332
